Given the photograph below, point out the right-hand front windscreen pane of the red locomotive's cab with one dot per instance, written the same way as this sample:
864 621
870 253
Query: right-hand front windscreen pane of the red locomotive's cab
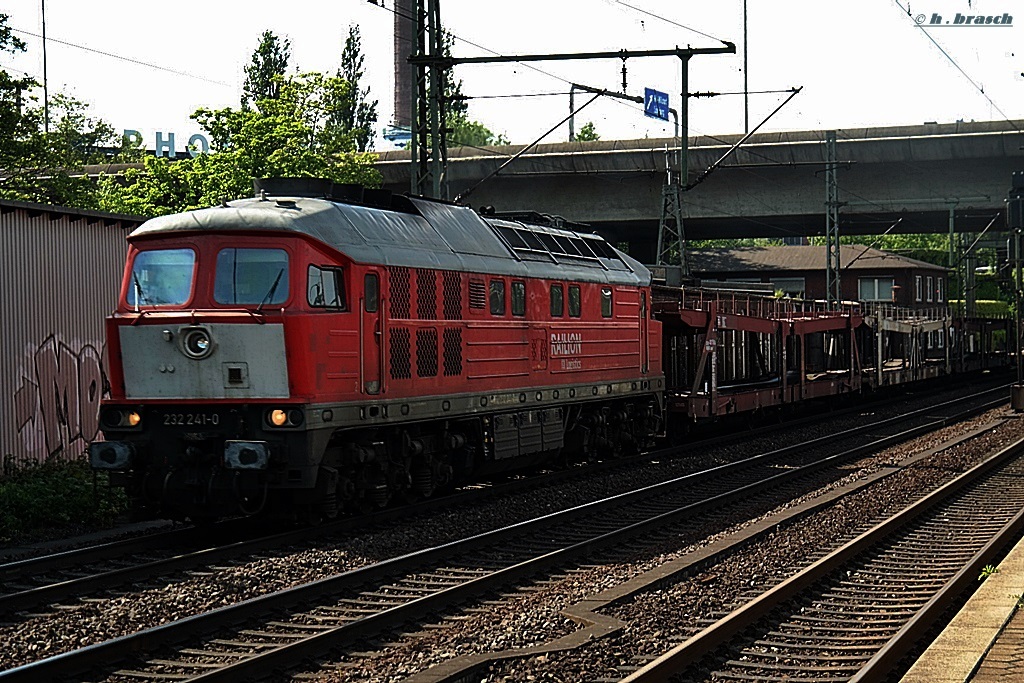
251 277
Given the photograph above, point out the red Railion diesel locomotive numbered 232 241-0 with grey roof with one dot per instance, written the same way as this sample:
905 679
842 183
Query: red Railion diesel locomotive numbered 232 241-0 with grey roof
304 353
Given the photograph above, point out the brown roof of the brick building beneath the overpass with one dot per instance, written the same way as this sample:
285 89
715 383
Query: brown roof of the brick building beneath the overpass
800 259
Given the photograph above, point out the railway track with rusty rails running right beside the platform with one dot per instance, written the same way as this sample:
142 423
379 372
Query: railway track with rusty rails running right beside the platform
856 614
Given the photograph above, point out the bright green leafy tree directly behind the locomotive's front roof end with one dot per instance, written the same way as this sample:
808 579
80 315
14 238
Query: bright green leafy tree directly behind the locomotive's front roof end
287 136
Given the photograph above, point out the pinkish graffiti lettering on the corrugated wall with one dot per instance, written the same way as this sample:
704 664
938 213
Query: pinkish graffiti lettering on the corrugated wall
57 407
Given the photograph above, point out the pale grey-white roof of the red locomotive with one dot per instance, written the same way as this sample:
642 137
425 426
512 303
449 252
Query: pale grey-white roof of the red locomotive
440 236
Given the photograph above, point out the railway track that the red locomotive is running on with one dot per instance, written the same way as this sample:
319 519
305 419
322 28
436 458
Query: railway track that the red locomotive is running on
35 583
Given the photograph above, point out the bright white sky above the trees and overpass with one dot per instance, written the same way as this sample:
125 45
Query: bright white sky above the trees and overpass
862 64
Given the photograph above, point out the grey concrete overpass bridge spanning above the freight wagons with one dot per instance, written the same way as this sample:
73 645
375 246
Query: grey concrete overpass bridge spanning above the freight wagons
773 187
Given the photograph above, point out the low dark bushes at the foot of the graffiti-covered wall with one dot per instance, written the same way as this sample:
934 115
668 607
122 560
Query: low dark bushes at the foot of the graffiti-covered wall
54 499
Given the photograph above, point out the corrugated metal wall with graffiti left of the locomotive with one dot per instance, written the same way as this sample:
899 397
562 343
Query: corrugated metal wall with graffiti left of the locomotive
60 273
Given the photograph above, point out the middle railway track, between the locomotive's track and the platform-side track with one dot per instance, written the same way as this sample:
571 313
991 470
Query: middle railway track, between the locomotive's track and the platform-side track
279 629
